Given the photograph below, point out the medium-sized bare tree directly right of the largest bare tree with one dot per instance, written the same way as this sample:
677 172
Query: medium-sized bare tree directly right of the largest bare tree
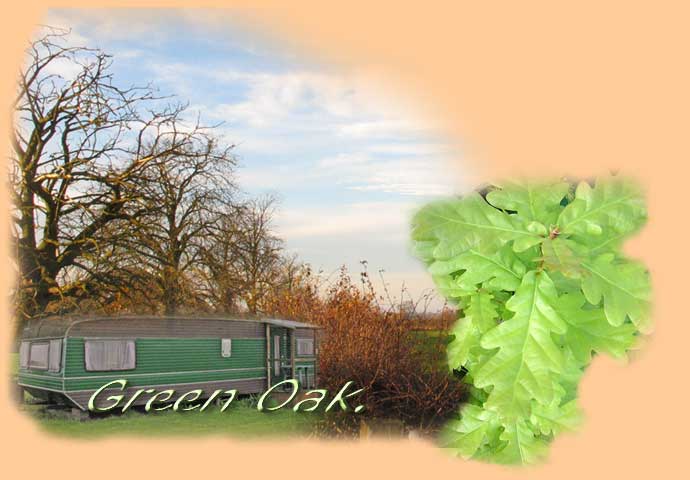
184 192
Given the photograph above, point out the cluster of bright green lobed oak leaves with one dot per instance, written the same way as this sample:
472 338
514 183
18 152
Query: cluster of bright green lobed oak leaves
537 271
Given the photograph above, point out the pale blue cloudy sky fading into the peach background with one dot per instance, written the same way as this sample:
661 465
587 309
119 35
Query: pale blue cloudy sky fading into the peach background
349 156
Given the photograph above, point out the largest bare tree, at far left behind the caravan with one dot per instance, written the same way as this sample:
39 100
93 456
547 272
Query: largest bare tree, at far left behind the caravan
79 146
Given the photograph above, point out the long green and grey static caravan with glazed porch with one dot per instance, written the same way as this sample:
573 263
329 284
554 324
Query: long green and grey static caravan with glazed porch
66 359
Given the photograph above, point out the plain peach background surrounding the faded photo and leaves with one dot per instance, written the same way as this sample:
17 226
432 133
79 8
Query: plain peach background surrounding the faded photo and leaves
576 89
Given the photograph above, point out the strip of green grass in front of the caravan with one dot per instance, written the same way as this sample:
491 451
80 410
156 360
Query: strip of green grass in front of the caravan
239 421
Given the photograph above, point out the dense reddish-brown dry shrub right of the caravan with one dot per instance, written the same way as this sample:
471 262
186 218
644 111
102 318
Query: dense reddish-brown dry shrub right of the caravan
394 352
